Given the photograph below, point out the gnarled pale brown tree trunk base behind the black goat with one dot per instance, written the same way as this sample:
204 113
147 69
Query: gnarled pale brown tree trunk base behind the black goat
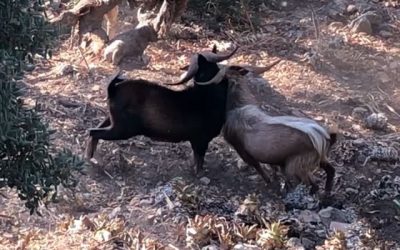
88 15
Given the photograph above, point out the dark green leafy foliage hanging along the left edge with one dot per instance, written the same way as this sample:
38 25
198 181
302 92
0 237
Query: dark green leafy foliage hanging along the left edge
27 162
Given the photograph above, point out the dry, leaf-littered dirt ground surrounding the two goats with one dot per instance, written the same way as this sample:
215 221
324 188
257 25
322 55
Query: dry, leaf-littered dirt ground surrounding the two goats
335 78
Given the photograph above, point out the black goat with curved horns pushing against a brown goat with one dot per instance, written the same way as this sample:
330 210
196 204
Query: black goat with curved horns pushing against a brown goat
195 114
